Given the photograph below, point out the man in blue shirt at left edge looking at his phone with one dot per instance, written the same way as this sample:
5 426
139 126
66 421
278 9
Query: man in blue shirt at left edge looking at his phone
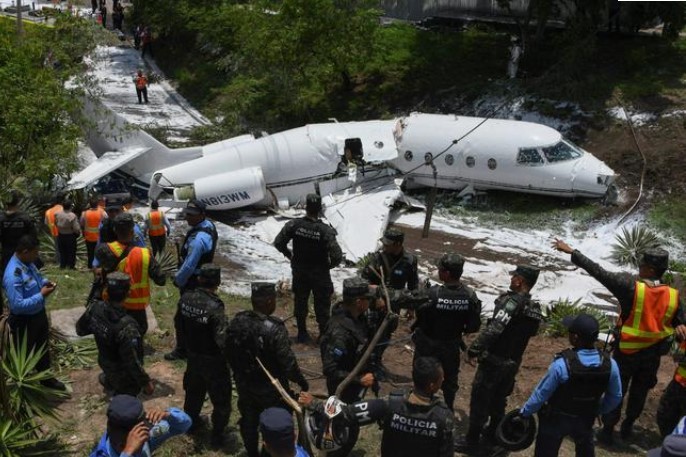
27 292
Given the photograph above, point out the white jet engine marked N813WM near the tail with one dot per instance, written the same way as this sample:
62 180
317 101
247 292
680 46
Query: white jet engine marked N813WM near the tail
233 189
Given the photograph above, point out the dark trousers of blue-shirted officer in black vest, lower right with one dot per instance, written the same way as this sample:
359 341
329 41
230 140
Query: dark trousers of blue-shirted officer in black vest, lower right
553 427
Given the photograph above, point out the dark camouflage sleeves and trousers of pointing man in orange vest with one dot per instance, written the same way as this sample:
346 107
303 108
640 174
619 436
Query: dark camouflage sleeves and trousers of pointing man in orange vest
640 368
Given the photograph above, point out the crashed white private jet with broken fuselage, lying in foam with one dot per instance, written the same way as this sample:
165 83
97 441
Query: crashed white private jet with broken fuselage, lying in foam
358 188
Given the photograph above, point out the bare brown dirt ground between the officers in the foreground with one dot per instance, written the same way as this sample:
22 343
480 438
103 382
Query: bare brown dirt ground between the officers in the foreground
82 418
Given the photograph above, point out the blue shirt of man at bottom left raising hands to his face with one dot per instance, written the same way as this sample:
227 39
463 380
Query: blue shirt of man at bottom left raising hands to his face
177 423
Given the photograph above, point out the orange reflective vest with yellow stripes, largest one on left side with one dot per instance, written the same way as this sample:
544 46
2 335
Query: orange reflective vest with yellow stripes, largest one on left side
136 265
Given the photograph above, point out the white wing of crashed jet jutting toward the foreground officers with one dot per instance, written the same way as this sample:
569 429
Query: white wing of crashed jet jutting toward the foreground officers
360 216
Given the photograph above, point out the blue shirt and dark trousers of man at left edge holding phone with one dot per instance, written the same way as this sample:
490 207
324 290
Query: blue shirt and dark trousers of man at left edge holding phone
22 285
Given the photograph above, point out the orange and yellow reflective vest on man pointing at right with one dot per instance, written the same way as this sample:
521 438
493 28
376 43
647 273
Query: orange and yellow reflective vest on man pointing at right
650 320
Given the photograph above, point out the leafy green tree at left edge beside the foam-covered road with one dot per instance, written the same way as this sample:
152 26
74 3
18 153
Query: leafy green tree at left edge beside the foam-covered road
38 137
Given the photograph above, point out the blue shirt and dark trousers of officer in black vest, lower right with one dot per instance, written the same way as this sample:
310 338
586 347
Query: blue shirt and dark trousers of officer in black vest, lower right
555 426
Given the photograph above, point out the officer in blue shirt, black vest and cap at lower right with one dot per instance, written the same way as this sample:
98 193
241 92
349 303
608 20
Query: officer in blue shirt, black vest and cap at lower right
580 383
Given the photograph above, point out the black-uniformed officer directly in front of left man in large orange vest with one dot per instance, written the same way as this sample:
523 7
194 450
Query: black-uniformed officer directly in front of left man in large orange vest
118 339
